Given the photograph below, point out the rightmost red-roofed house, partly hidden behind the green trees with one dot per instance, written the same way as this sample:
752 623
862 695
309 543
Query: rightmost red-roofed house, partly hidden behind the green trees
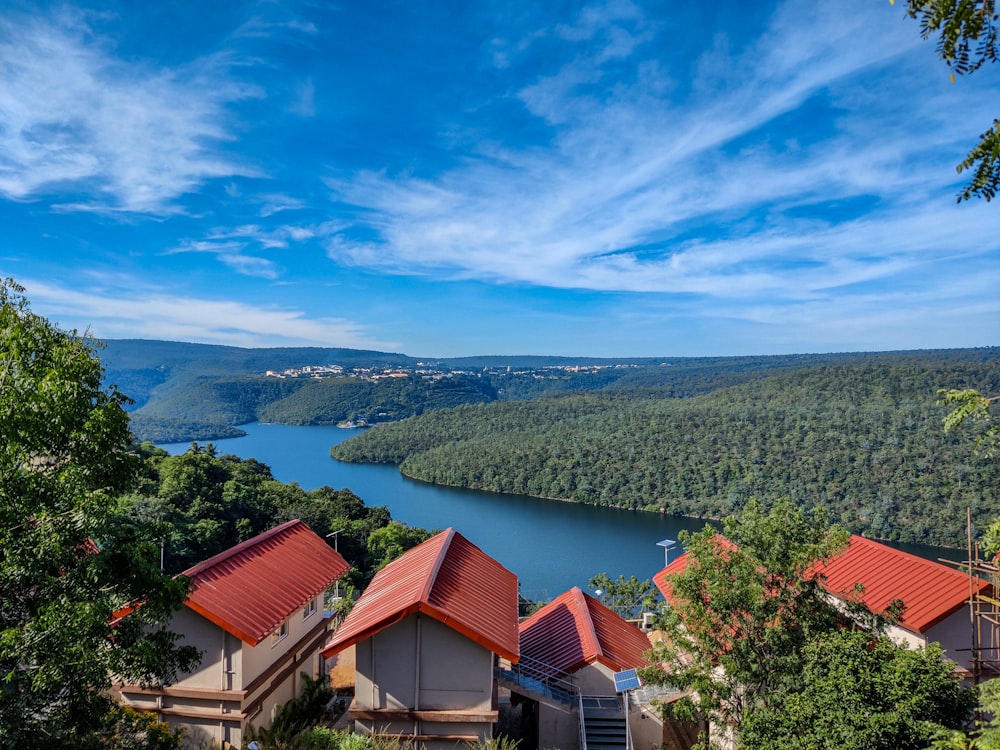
936 597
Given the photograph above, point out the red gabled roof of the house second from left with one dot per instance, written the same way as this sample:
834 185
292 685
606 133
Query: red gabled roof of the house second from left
447 578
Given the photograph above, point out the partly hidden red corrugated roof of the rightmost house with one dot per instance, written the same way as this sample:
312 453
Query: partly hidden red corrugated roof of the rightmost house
929 590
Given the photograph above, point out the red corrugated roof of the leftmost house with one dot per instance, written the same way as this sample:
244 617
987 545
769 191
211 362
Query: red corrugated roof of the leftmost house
250 589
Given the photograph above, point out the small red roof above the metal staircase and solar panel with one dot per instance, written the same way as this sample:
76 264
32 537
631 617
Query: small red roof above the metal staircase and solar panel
575 630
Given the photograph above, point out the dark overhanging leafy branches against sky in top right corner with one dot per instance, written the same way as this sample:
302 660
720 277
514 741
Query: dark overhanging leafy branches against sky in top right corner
967 38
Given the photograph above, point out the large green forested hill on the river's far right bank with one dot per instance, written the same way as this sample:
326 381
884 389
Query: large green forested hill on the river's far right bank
864 439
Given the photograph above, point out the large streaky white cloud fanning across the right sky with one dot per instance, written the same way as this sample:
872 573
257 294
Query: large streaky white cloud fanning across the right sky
714 190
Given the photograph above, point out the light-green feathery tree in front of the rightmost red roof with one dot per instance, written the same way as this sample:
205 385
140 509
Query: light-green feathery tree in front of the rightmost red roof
742 611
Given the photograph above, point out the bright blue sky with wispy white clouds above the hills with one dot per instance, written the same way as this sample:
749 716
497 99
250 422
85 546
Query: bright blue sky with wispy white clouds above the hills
452 177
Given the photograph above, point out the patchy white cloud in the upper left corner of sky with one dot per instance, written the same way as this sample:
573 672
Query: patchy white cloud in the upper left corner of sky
128 136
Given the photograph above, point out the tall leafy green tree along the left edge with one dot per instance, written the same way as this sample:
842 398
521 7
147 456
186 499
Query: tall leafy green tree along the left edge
68 562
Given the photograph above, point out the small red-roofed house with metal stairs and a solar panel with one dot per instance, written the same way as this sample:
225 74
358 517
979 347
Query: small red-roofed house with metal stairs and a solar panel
582 644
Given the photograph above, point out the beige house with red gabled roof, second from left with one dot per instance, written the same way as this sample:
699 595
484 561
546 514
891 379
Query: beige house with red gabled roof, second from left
428 632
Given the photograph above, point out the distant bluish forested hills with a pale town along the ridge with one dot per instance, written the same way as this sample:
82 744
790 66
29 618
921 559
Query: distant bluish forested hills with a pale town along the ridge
185 392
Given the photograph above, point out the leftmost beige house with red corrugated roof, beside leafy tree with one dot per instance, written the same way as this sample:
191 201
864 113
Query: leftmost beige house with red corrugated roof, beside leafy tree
255 612
